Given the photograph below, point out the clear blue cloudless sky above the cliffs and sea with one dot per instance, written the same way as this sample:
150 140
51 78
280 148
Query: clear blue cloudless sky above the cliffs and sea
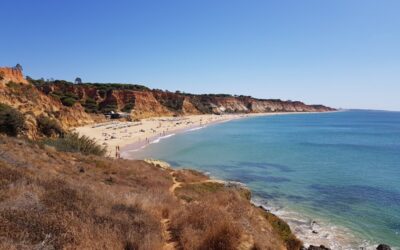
343 53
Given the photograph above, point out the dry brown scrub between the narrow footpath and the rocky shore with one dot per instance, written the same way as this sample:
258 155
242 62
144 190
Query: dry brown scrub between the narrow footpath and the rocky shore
216 212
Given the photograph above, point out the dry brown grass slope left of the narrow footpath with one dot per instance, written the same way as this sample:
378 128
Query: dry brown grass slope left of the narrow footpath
47 203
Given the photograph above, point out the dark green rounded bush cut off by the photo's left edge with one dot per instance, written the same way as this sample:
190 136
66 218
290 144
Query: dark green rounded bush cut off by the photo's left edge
12 122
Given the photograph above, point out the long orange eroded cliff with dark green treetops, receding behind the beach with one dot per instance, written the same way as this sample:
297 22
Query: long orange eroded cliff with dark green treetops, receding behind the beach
148 103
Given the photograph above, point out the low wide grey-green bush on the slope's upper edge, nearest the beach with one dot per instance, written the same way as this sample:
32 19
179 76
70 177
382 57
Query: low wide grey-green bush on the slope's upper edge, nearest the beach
75 143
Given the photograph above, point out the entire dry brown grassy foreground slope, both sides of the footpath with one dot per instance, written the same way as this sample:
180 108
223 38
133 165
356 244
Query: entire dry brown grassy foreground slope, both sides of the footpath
54 200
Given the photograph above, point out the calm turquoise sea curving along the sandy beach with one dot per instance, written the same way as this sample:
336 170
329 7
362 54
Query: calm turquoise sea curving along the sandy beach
340 169
